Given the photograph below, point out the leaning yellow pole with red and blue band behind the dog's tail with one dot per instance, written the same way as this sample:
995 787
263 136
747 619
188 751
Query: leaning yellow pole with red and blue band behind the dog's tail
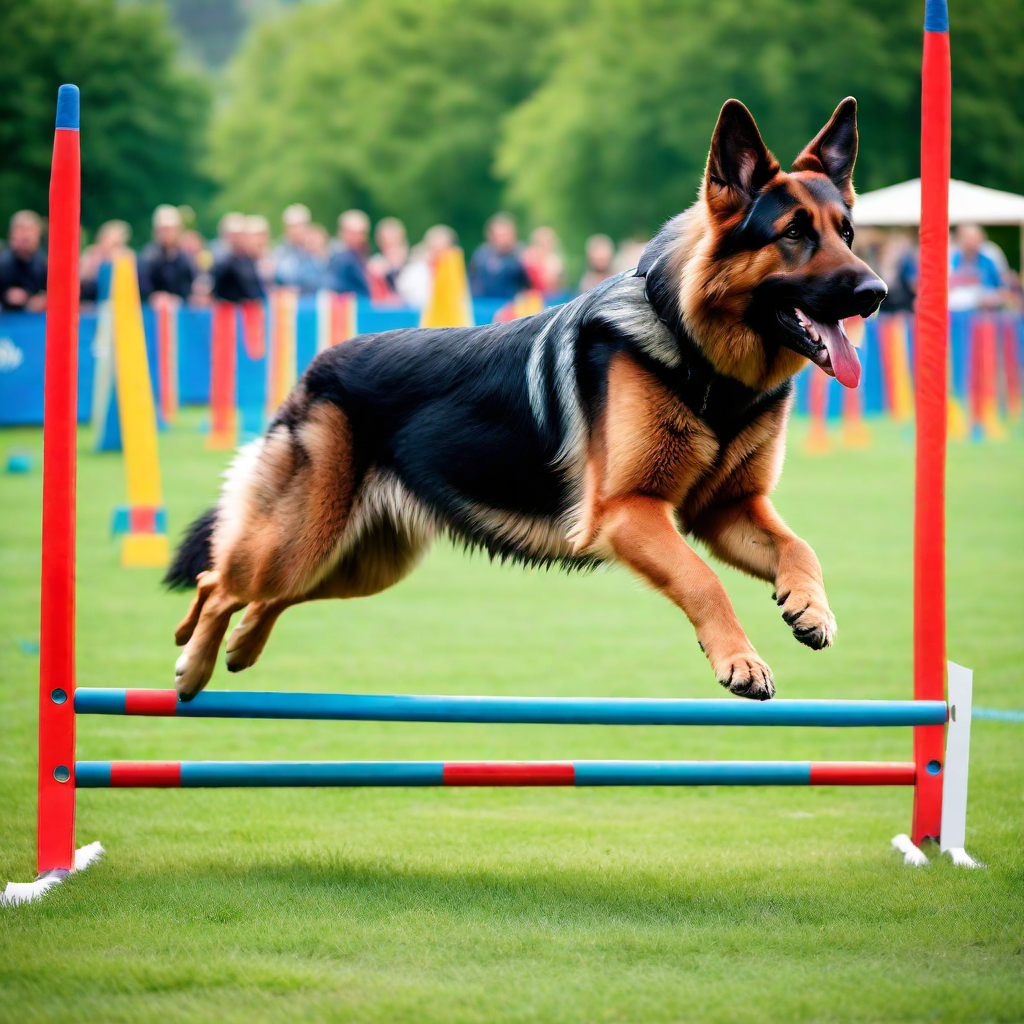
145 543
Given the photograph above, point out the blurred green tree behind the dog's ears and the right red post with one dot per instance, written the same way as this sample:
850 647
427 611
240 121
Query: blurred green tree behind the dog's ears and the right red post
616 139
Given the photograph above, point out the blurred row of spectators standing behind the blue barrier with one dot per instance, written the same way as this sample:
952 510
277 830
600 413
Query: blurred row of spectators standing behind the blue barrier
243 263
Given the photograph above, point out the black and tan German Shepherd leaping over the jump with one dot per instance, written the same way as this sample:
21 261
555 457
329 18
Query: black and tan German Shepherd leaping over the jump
613 428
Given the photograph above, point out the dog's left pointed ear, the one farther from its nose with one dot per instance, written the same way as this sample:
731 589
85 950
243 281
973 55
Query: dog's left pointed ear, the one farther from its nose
740 164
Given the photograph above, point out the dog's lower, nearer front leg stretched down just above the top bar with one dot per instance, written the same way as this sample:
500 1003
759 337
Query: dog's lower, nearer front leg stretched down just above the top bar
642 533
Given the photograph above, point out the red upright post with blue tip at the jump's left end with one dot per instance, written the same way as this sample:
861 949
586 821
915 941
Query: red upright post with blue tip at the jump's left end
57 647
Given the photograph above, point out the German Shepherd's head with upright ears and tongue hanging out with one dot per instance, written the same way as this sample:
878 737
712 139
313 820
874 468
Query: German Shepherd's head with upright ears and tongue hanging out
761 272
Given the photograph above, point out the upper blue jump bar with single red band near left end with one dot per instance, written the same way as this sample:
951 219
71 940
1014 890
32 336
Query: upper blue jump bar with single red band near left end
550 711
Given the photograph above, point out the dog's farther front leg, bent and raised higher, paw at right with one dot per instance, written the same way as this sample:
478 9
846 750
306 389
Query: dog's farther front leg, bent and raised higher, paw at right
752 536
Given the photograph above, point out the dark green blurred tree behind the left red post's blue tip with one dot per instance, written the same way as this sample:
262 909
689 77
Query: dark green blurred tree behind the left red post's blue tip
143 118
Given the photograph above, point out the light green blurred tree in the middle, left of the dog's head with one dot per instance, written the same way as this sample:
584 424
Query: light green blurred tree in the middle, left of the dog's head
394 106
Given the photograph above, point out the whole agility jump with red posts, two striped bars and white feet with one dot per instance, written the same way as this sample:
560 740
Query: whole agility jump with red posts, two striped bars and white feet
941 721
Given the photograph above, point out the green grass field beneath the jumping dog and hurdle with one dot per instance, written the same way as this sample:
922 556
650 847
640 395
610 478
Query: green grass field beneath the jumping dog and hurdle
526 906
